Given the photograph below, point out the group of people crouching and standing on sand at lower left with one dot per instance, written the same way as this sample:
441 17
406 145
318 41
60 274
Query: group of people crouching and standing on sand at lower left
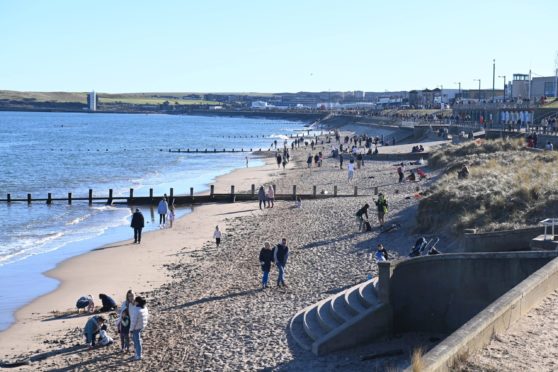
132 319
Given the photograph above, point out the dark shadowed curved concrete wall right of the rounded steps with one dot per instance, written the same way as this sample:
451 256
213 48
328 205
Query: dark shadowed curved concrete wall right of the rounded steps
441 293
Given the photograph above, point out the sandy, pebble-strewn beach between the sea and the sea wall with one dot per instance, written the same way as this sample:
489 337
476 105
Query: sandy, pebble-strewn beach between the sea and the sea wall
208 311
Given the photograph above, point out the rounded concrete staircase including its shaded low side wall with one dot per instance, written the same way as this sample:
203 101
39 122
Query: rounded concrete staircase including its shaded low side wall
349 318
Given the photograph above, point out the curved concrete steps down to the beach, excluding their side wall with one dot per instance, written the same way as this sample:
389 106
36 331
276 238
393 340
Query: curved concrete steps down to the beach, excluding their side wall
326 319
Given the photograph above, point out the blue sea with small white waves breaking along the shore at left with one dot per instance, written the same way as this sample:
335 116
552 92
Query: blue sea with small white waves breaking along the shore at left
58 153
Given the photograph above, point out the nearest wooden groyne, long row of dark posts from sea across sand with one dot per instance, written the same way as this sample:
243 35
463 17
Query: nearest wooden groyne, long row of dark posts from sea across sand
151 199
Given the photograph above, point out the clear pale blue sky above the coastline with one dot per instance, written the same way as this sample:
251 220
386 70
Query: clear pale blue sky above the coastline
271 46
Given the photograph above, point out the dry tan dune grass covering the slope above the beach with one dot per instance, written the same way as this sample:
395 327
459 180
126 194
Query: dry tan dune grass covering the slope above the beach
508 187
